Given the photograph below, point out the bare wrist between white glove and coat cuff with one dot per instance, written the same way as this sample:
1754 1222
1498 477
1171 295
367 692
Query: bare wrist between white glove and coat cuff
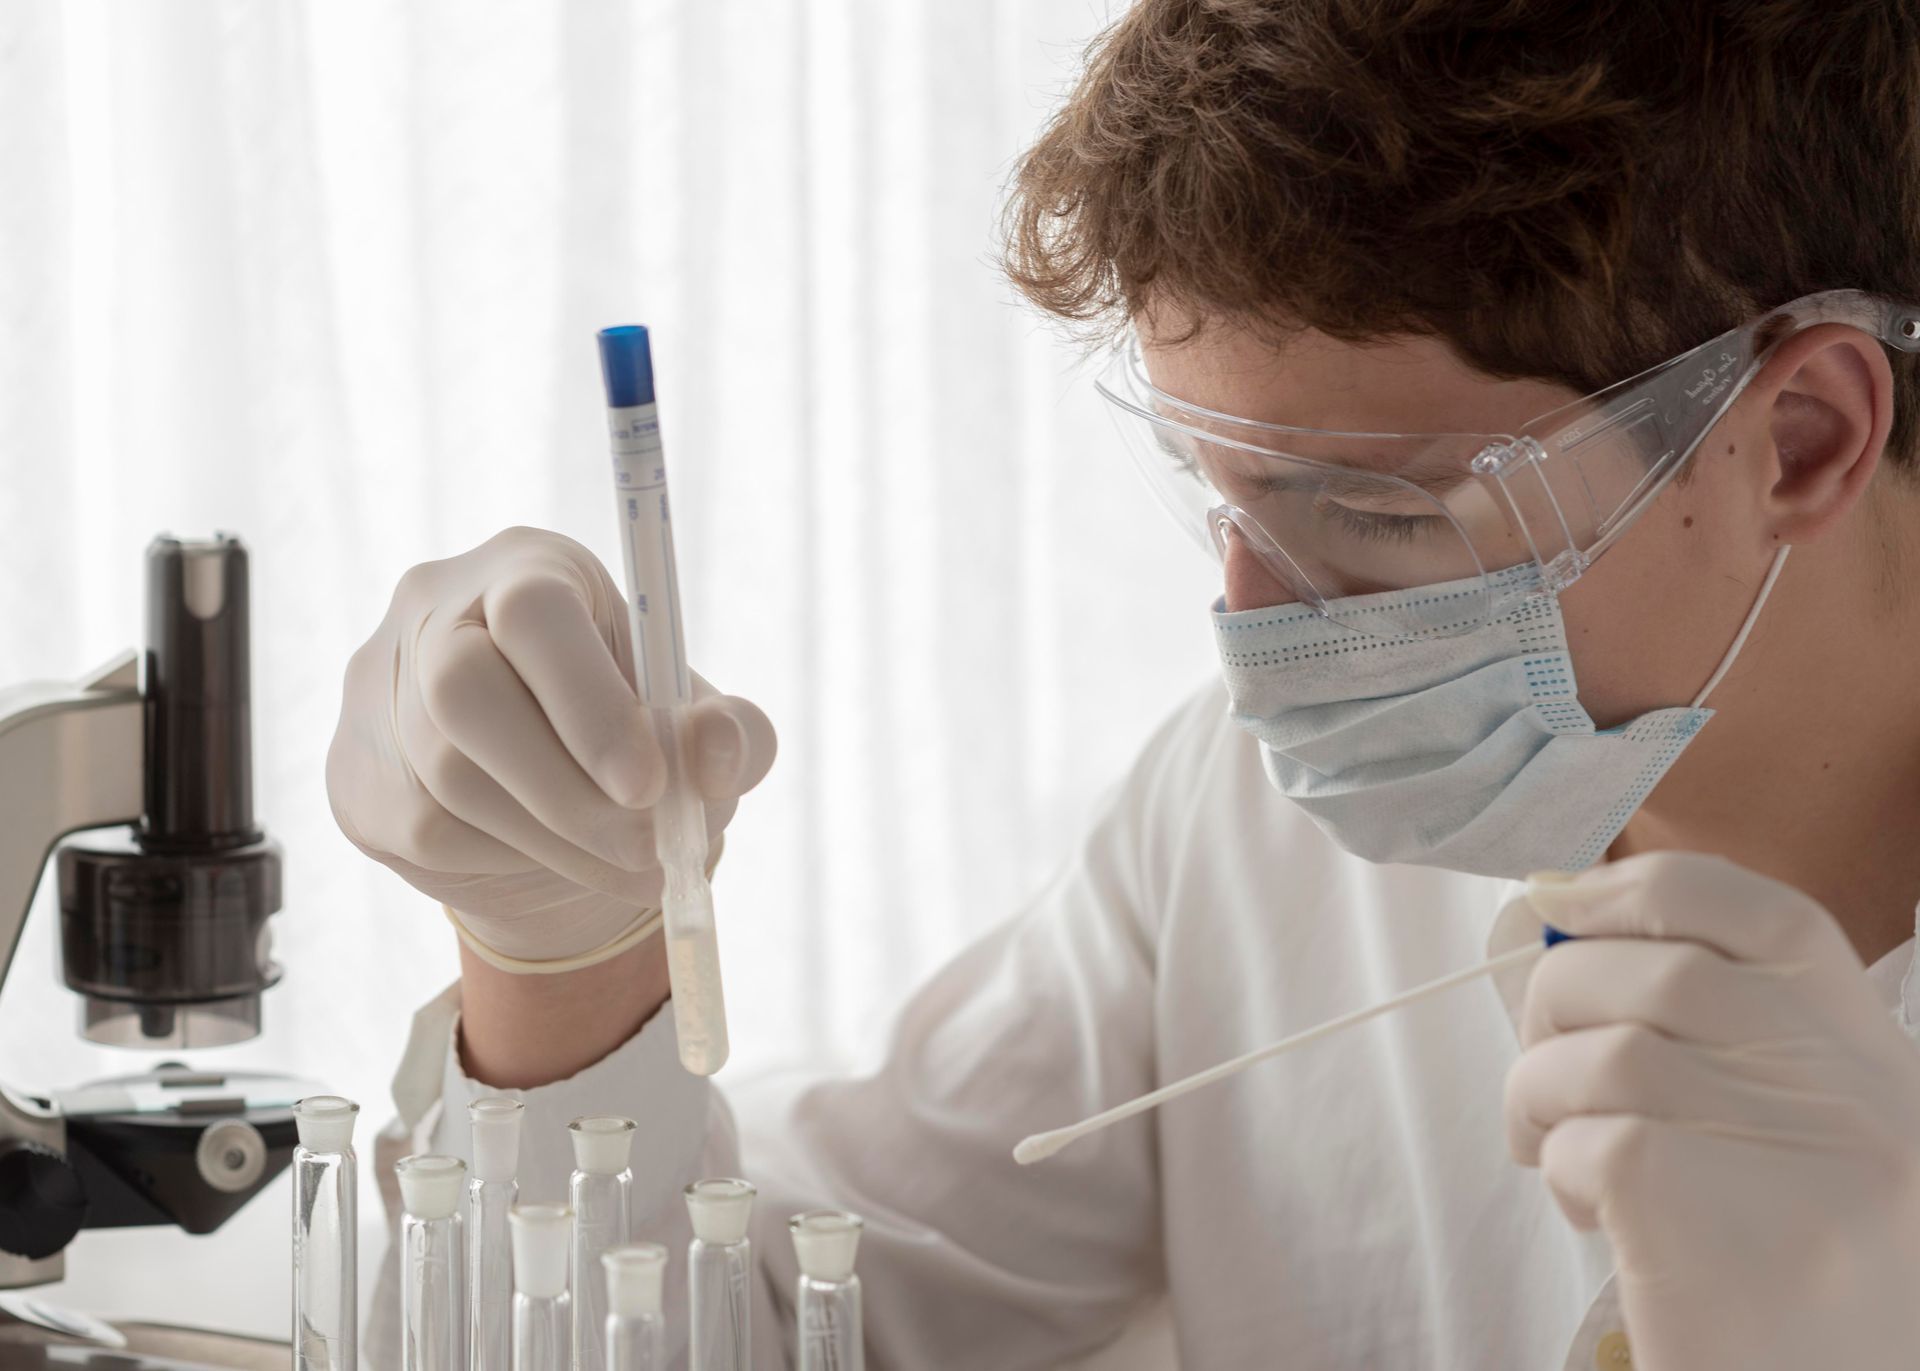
519 1032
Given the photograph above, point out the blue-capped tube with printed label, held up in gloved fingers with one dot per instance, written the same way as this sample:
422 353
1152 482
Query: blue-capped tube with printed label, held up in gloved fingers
667 690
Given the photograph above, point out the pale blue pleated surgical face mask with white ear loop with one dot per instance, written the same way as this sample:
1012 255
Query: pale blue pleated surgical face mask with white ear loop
1470 754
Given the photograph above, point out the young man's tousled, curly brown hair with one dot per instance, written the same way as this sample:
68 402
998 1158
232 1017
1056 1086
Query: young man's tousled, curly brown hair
1560 189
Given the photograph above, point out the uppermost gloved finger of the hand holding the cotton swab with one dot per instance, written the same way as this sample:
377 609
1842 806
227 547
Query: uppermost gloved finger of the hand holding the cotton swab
1694 898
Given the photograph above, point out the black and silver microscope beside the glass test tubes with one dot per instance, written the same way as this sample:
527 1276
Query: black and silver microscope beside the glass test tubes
164 923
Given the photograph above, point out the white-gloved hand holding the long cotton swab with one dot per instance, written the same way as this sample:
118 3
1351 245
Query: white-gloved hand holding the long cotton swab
1712 1080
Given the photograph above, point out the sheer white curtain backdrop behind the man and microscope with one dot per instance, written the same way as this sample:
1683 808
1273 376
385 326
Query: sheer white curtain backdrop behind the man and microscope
327 276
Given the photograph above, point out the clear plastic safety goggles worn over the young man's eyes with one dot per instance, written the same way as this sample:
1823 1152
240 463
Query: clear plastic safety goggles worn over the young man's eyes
1347 519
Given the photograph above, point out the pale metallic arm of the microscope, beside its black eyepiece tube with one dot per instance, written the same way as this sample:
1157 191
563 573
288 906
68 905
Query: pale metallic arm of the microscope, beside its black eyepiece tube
70 759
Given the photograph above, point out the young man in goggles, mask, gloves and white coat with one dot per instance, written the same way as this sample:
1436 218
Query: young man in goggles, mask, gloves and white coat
1374 258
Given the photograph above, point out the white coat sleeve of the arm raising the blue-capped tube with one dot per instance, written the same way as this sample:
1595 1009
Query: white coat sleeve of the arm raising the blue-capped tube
969 1259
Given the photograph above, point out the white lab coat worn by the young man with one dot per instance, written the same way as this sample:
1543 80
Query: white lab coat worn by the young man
1349 1207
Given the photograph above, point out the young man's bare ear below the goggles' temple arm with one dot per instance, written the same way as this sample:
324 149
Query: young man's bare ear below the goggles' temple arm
1829 406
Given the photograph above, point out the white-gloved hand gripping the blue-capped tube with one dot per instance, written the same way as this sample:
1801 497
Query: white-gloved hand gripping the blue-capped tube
494 754
